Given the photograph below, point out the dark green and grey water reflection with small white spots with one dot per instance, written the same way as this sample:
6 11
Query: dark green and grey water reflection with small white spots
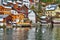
44 33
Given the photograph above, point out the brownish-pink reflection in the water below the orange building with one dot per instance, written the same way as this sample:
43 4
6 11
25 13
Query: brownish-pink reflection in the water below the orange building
20 34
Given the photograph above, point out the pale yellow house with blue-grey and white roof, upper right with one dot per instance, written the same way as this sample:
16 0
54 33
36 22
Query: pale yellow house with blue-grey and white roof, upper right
52 10
